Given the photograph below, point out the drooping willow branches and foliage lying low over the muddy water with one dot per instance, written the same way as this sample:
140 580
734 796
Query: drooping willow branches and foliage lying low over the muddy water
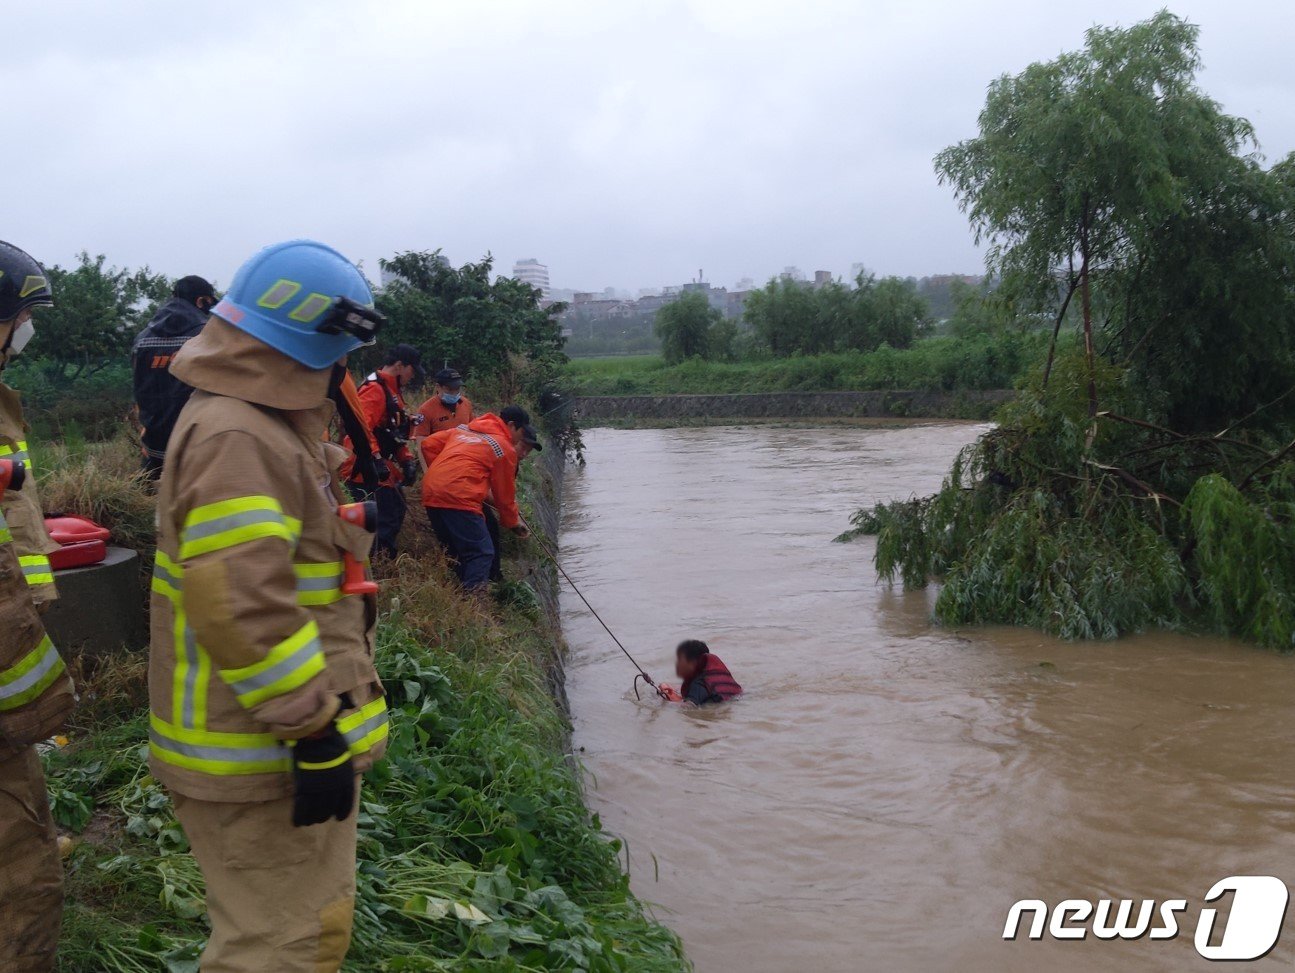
1090 529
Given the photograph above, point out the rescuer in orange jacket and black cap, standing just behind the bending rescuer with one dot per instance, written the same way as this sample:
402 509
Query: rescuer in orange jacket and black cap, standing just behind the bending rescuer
392 424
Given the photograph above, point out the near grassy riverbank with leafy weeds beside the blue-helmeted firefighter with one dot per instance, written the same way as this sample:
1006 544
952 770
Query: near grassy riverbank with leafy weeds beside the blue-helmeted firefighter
477 852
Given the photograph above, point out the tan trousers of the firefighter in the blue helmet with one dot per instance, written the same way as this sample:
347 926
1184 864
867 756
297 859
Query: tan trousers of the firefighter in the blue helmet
282 900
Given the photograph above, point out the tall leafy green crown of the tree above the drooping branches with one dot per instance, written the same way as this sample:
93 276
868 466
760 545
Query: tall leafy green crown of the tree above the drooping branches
1109 177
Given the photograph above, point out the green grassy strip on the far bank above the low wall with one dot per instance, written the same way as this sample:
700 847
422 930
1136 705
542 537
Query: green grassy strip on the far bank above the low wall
933 365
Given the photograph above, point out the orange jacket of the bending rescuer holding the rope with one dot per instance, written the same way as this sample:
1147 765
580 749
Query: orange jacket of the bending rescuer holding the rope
467 466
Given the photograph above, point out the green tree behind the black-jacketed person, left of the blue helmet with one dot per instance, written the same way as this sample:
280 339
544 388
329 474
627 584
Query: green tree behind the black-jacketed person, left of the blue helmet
96 315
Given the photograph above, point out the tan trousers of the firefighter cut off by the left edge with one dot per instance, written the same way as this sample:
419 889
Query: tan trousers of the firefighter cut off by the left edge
32 878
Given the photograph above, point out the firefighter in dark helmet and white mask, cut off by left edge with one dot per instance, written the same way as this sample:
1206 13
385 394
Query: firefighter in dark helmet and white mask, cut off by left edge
36 693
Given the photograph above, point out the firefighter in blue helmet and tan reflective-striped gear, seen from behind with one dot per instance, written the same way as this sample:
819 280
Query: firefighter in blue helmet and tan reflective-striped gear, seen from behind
265 702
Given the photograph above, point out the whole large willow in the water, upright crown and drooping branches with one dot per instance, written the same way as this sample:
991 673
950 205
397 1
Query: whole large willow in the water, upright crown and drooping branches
1151 479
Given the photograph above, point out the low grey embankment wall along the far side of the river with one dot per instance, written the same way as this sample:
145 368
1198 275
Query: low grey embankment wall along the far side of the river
831 405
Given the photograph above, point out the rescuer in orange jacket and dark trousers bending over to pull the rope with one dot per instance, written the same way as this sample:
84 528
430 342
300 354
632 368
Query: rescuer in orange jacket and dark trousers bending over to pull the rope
466 467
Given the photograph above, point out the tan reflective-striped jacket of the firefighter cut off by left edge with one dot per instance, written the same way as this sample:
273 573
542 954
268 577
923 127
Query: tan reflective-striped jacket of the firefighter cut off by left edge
36 691
